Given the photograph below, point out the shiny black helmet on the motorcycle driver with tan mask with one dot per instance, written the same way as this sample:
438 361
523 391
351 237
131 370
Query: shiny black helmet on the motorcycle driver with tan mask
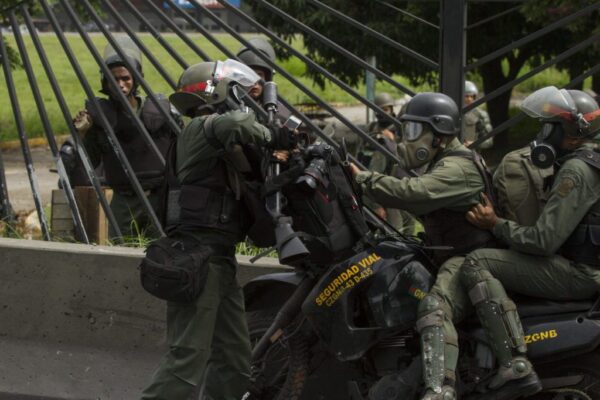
435 109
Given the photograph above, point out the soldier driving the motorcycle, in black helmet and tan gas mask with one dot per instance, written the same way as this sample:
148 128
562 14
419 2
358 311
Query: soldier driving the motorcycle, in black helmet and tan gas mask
451 185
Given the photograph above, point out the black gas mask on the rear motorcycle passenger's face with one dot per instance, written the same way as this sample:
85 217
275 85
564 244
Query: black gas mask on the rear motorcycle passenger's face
546 148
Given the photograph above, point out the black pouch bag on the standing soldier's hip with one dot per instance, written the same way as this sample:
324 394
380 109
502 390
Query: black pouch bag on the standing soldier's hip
175 269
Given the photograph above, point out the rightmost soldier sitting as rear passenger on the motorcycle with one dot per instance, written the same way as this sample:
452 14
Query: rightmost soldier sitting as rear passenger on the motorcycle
556 257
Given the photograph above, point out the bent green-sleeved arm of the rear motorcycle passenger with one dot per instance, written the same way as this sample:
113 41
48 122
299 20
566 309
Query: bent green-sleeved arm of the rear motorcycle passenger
575 191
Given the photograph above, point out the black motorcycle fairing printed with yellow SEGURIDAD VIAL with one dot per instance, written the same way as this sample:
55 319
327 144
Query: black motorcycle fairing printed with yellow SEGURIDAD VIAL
369 296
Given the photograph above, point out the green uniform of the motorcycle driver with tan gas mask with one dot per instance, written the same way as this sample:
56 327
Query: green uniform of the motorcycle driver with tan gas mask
452 183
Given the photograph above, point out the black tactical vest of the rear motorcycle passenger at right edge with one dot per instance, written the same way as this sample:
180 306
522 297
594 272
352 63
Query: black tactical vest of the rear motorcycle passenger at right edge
583 246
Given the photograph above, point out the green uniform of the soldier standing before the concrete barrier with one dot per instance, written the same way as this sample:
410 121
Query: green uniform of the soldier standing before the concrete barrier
208 340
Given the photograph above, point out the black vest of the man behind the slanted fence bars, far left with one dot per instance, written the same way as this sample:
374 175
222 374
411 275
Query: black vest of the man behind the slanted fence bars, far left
142 158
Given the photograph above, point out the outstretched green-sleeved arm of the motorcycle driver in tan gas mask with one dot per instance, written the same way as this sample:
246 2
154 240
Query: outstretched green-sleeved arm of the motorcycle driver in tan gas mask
446 186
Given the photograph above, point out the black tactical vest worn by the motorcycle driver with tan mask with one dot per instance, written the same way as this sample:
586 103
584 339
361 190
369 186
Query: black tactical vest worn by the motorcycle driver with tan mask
450 228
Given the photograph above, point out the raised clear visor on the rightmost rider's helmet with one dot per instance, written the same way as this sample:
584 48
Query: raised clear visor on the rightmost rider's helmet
549 103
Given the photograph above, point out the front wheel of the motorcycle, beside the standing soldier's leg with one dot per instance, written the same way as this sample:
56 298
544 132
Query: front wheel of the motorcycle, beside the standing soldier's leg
282 373
